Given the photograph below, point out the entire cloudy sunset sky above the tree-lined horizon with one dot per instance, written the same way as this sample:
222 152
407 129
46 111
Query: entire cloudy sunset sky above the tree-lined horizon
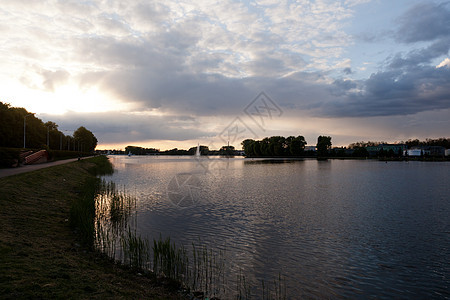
168 74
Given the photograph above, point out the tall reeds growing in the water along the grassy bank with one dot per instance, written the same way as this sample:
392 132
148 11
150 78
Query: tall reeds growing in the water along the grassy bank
108 222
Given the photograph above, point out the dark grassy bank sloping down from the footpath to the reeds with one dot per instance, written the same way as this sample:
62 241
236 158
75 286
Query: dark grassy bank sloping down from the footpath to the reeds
40 254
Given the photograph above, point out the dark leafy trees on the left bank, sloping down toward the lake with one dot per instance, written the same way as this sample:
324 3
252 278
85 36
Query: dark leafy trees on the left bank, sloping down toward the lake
21 129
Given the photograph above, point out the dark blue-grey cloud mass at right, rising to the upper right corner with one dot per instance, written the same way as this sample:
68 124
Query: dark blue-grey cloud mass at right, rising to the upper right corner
409 84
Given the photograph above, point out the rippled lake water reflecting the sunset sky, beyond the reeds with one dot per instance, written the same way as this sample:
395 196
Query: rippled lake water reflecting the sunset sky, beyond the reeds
332 229
